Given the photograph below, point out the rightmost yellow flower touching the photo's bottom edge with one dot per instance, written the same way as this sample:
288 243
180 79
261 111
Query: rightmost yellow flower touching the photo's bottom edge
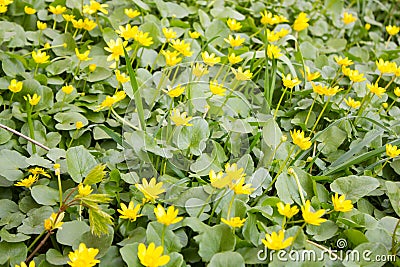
151 256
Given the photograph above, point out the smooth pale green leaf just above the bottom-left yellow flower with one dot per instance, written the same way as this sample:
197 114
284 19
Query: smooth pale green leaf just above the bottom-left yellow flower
71 231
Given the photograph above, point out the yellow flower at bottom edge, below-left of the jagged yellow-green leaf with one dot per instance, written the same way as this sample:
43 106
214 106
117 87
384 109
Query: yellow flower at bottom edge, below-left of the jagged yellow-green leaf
83 256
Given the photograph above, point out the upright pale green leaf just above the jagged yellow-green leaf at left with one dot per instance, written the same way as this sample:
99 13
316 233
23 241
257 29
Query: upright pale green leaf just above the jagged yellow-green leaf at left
79 162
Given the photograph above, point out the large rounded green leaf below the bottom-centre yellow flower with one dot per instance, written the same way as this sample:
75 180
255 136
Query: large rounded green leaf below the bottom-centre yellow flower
218 238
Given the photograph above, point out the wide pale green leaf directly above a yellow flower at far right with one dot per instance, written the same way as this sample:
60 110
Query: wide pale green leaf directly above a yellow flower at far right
354 187
